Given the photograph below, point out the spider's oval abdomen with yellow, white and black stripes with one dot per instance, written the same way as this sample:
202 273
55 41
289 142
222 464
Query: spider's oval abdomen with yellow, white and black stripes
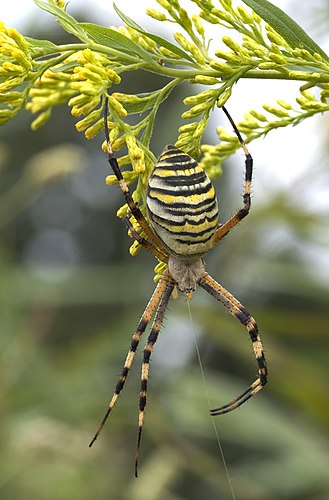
182 204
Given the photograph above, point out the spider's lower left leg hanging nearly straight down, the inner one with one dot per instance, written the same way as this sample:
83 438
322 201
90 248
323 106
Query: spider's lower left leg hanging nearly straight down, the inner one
146 362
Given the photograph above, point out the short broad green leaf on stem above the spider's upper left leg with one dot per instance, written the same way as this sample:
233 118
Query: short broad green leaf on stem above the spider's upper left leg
114 40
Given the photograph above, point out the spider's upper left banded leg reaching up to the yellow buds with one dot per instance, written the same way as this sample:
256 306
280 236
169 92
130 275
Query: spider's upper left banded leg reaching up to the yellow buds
135 211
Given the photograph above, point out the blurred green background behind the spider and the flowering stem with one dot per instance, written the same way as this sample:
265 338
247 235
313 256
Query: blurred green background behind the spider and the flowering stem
71 297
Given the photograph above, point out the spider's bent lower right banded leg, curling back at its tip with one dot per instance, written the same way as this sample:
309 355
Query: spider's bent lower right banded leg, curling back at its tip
236 309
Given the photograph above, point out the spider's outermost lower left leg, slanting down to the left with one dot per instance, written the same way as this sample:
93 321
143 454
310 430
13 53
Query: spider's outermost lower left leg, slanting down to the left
146 316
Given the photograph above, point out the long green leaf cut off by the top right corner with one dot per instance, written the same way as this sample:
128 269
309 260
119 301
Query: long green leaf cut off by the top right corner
285 26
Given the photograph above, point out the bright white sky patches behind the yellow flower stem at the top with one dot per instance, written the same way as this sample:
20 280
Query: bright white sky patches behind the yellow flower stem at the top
285 155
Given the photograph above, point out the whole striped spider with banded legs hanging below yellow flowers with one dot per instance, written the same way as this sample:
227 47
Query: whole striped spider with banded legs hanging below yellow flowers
183 226
